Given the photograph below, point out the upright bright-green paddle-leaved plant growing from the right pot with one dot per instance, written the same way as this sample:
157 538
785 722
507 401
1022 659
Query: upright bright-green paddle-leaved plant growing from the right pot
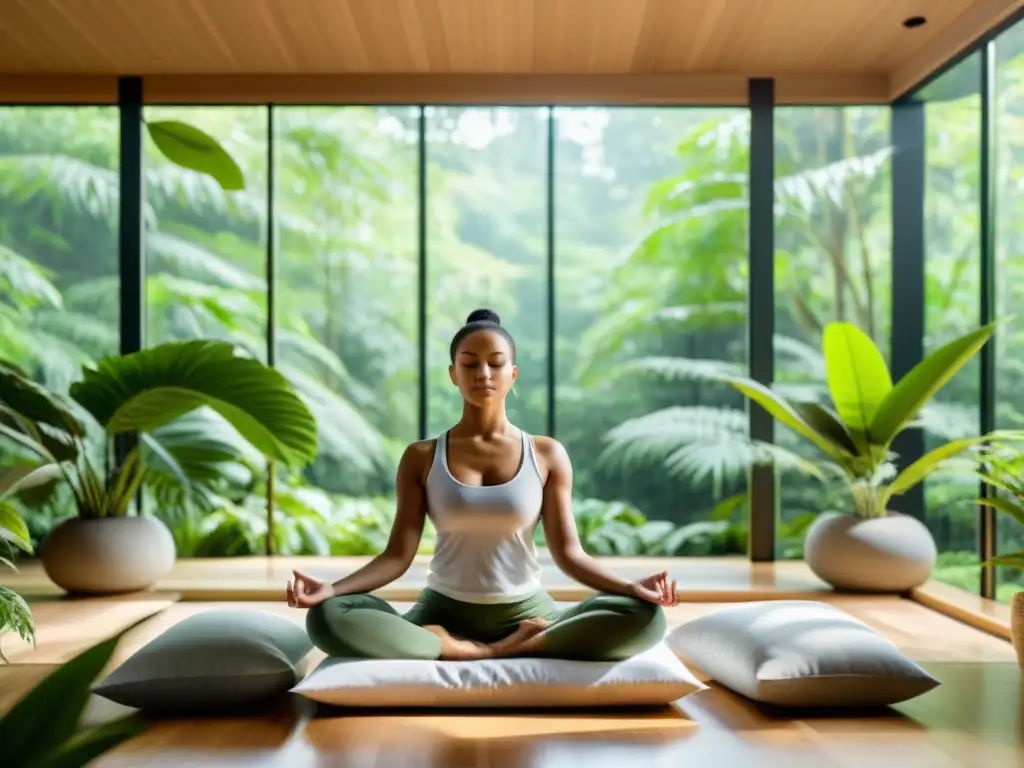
857 436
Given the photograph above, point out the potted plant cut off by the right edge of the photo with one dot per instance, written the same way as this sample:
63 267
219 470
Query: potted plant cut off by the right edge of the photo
1004 471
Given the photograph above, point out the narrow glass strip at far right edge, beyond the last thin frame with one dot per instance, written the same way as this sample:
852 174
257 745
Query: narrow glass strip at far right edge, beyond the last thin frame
1010 267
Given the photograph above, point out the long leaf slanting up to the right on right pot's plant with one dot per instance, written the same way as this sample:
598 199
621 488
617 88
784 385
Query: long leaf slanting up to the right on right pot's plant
924 380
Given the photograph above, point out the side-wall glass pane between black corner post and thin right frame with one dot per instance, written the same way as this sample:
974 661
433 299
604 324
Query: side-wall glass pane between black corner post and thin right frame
953 242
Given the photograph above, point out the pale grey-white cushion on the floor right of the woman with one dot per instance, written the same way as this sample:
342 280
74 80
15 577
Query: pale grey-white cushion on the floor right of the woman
800 654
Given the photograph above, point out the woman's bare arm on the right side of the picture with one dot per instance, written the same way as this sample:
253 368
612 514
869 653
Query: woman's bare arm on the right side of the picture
561 530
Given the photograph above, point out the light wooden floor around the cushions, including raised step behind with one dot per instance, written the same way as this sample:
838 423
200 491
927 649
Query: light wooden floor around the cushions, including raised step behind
975 718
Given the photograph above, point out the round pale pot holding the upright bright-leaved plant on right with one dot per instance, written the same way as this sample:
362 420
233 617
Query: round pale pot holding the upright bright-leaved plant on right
889 554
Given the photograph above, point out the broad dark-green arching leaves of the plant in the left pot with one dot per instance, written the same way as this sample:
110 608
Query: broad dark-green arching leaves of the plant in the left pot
145 393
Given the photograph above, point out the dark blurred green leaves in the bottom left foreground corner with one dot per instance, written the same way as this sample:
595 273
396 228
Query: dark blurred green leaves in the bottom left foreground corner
42 730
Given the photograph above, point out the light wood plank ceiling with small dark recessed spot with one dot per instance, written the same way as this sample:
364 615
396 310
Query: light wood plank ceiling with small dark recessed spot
857 39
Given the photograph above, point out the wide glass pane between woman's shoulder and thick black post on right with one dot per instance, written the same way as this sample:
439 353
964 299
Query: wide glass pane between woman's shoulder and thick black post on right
651 255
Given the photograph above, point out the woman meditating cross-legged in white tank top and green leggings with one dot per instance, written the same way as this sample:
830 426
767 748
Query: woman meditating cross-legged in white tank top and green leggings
486 486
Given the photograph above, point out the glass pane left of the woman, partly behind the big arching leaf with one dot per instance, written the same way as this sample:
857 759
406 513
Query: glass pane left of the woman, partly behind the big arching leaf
348 317
